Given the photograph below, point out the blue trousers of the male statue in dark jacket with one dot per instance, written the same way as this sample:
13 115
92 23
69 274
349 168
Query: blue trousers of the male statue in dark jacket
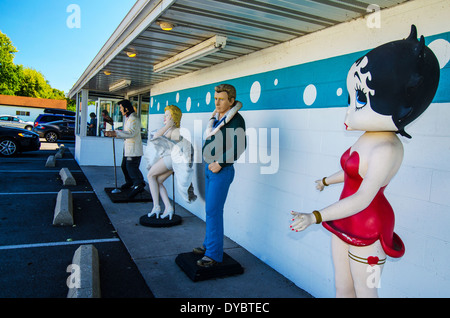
216 191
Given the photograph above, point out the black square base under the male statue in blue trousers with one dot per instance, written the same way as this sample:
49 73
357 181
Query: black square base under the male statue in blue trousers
188 263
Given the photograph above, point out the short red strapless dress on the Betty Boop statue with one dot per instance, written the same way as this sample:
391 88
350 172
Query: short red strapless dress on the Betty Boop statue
376 222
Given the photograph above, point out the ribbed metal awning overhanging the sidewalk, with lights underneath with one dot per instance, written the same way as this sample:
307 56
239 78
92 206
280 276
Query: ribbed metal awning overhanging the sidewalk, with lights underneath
248 25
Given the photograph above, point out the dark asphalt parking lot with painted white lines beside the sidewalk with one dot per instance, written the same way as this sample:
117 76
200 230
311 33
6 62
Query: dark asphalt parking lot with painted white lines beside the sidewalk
34 254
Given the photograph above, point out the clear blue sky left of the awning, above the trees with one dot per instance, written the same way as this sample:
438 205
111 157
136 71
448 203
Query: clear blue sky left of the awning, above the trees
39 30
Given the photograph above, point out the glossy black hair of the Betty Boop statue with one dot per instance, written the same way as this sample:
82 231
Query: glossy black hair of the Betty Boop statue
405 77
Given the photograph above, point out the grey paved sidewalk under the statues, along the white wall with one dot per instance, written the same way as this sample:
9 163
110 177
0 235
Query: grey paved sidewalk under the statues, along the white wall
154 251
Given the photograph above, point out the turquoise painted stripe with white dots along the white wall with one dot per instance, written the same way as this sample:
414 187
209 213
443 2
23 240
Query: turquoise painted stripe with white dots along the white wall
284 88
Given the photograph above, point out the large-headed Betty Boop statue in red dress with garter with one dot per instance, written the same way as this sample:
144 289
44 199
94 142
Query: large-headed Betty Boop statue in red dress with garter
388 88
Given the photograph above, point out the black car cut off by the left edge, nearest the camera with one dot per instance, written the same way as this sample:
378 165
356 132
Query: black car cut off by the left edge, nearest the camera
16 140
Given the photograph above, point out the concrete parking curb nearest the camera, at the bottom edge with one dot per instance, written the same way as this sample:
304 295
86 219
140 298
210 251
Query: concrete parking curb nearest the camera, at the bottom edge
84 281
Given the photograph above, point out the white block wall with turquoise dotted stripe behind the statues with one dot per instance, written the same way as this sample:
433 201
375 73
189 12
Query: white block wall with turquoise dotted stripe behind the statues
310 138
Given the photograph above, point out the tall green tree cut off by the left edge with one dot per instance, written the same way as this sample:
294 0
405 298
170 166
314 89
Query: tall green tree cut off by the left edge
10 74
